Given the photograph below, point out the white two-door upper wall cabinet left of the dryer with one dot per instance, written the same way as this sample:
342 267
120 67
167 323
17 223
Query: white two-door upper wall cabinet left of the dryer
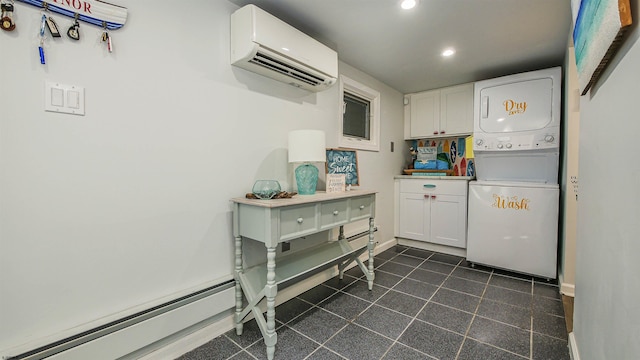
439 113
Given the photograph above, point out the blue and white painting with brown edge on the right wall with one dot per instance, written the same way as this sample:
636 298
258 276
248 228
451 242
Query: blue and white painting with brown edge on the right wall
599 26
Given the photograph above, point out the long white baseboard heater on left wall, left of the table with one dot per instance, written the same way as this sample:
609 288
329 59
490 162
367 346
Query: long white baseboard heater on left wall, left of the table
198 306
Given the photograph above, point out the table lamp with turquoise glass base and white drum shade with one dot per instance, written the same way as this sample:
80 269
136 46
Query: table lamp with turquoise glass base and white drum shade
307 146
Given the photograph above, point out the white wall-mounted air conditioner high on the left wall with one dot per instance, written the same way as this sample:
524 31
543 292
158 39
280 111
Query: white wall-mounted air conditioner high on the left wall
268 46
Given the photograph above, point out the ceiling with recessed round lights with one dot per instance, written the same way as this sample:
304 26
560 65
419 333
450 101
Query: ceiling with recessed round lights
402 47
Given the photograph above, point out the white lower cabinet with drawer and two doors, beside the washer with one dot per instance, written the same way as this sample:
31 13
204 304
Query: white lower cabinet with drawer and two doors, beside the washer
434 211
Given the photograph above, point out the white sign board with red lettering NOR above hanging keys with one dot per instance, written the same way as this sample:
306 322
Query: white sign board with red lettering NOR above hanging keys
95 12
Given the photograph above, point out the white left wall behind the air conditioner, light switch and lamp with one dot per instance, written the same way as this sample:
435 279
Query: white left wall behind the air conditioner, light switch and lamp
130 203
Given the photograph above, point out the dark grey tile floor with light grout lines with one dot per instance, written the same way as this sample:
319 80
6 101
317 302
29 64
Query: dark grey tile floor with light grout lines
423 305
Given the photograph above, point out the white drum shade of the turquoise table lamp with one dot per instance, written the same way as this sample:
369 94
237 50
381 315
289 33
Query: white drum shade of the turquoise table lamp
307 146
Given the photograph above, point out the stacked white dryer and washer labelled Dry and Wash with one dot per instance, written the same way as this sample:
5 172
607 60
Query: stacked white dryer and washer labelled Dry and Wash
513 204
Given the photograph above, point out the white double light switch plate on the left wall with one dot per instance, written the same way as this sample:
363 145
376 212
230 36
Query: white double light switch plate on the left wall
63 98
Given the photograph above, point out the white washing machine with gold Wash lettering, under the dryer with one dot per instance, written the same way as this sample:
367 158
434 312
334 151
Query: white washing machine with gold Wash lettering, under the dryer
514 226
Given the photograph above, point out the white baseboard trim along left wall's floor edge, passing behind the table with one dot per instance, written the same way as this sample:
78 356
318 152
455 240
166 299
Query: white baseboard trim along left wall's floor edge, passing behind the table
200 337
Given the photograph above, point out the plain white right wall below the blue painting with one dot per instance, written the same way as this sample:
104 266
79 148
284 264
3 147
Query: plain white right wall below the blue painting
607 310
